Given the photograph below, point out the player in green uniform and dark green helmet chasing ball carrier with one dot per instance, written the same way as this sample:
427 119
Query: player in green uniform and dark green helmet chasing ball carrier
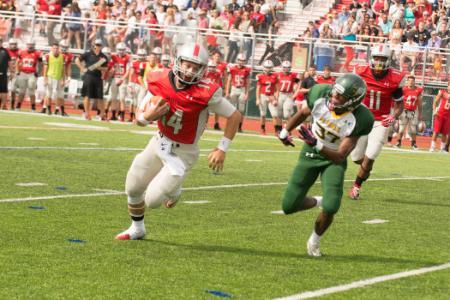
338 122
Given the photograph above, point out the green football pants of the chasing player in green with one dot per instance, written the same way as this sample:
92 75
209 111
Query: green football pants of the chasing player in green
305 174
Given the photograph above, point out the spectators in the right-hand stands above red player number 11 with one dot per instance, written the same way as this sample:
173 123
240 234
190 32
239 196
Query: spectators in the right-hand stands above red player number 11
409 26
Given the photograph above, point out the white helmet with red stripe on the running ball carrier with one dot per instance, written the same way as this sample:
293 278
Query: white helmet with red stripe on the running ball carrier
194 53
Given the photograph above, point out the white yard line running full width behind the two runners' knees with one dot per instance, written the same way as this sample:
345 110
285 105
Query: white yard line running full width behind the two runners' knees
199 188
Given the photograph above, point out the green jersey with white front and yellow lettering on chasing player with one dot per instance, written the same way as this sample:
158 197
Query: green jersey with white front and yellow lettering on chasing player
330 128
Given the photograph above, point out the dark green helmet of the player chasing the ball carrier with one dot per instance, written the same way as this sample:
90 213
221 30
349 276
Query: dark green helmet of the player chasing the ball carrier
352 88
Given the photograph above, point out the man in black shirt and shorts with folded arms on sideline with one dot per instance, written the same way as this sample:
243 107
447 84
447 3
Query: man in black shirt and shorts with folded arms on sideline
92 64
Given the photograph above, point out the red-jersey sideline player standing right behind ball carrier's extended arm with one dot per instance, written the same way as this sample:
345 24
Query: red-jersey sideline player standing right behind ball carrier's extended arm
237 87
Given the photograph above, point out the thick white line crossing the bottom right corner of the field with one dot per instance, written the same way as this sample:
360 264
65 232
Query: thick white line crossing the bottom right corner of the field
365 282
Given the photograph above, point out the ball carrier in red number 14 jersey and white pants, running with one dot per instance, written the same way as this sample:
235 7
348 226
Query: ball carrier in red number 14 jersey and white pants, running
156 174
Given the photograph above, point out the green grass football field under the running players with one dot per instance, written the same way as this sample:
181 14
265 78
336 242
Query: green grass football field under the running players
62 203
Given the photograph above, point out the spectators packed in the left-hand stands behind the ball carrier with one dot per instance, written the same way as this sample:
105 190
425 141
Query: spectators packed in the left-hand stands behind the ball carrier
224 25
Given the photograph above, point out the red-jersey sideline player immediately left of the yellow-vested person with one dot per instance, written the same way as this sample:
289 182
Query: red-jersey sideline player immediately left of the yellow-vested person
27 64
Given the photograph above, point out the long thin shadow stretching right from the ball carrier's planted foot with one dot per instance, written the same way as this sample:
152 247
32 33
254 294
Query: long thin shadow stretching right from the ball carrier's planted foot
257 252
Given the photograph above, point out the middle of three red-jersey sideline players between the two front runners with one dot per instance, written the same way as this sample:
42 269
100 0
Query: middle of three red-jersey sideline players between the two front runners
266 89
